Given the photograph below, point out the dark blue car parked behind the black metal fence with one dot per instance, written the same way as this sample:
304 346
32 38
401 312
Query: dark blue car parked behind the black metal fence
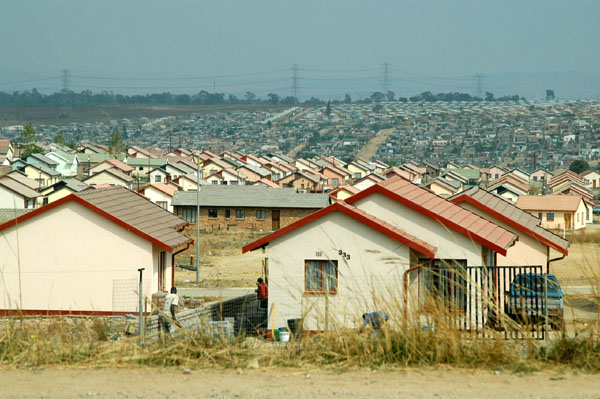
525 300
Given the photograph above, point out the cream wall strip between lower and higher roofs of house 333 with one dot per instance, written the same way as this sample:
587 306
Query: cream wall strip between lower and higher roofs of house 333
450 244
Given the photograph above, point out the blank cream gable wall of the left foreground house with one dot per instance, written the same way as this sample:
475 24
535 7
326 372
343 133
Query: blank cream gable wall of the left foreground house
78 271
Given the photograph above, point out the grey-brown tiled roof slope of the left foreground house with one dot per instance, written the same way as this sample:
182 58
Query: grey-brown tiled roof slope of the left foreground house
136 211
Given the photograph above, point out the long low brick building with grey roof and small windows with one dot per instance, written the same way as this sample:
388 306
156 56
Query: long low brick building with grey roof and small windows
246 207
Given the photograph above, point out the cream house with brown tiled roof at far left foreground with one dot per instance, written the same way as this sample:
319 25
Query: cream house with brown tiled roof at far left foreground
81 254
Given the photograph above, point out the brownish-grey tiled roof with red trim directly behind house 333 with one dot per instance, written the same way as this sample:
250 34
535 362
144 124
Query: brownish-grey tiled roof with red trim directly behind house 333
511 211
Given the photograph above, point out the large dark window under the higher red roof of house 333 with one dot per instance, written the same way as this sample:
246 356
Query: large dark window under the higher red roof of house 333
444 283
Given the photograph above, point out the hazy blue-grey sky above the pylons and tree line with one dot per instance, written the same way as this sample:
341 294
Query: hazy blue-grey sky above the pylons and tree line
233 46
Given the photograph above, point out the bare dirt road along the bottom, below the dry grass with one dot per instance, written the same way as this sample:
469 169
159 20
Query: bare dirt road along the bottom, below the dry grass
173 383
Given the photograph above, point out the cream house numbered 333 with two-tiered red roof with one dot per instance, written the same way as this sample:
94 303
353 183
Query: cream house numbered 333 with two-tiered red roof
350 257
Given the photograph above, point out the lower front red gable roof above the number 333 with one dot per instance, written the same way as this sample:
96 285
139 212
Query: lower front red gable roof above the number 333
358 214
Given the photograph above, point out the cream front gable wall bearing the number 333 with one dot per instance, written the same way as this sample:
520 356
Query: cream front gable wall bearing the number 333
372 275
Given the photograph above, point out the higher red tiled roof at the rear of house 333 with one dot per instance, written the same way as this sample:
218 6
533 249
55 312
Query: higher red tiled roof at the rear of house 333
450 215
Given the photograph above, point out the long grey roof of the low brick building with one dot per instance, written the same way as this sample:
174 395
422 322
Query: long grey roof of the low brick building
251 196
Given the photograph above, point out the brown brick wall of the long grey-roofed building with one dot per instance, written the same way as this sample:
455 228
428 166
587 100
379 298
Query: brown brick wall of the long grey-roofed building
286 217
